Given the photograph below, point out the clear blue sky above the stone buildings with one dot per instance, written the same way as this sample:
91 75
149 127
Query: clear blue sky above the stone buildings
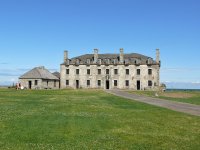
36 32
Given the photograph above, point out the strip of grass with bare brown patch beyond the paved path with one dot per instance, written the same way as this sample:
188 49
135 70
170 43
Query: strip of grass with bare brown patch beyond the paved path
192 97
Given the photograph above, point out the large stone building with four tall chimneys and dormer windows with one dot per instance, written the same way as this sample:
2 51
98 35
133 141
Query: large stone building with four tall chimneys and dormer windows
110 71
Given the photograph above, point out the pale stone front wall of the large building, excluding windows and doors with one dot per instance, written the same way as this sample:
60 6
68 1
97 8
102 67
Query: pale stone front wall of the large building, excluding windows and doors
82 78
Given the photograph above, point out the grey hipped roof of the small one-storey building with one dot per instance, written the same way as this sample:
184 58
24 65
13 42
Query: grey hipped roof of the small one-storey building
39 73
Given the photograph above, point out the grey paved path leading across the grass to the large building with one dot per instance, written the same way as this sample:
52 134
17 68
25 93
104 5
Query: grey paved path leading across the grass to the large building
177 106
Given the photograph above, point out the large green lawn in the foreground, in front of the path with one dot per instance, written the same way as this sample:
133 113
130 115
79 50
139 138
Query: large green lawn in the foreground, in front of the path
90 119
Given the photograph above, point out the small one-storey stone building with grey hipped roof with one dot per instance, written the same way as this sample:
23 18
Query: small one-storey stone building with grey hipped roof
39 78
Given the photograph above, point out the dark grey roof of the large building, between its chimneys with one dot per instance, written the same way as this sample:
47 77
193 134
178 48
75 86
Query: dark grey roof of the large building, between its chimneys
132 58
